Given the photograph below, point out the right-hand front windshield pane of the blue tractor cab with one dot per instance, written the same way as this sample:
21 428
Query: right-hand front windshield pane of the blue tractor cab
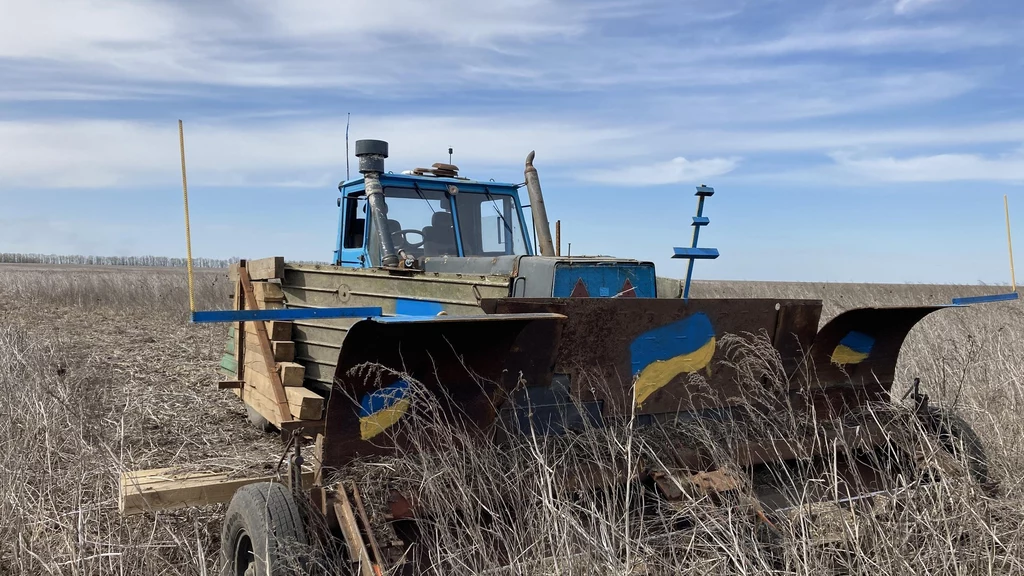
490 225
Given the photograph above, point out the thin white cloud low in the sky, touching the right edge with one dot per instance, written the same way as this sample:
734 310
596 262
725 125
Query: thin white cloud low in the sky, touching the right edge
936 169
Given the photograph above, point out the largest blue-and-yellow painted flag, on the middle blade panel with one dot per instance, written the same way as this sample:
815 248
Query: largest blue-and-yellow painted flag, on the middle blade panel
660 355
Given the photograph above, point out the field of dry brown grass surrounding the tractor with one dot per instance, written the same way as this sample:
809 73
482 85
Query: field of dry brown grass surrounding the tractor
100 373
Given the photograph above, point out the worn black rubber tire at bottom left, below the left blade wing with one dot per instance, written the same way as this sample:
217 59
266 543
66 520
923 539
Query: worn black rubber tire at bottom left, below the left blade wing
268 516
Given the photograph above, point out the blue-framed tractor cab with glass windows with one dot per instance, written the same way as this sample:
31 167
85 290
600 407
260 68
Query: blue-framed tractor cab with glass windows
432 216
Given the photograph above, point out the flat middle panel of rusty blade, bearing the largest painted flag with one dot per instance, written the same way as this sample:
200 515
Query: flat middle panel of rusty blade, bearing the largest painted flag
637 356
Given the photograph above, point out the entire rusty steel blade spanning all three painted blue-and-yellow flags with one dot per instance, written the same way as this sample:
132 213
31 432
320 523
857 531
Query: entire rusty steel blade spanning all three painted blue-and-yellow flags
476 363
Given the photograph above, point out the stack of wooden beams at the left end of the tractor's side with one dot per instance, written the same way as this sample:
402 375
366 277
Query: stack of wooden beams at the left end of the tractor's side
244 350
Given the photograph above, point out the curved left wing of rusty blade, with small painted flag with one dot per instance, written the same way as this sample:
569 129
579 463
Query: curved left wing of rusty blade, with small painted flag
467 363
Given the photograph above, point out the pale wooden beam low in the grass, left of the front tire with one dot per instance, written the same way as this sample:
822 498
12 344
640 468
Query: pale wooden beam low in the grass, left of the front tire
143 491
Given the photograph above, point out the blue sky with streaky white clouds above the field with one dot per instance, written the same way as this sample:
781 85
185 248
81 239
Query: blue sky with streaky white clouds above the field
855 141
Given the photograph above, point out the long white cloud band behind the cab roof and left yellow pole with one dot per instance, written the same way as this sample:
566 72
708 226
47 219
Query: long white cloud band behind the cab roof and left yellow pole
105 154
